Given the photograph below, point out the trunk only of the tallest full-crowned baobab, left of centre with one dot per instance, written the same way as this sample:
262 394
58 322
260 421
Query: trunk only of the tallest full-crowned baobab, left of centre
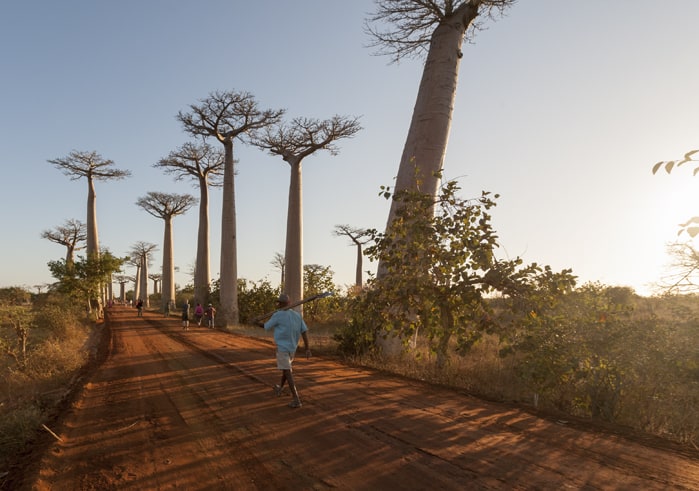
229 253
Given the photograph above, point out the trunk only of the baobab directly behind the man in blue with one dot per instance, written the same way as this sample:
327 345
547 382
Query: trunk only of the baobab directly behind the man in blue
293 282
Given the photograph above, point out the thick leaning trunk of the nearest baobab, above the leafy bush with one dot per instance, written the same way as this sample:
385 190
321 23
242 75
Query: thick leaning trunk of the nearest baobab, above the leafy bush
426 142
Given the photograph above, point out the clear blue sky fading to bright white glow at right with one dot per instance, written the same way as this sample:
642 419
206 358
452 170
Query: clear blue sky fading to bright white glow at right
562 108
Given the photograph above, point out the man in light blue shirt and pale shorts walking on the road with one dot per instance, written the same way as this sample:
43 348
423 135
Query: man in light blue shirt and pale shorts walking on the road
288 327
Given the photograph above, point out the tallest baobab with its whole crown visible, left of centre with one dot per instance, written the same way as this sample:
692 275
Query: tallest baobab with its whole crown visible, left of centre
227 116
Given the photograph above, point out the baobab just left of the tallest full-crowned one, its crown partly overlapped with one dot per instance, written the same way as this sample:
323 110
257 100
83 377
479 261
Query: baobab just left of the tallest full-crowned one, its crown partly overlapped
204 164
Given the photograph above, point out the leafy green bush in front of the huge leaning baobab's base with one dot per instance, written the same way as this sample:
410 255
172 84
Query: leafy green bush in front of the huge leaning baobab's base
441 270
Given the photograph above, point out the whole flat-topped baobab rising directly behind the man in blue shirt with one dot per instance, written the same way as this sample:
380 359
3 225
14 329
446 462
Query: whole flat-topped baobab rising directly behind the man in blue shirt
294 142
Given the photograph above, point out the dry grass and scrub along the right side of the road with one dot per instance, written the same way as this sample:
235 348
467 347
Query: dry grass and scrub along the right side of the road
601 353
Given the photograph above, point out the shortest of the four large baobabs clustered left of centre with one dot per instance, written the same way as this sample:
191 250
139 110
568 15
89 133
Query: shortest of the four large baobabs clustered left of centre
167 206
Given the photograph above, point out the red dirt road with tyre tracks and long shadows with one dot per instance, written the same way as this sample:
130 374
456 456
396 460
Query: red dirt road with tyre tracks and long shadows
194 410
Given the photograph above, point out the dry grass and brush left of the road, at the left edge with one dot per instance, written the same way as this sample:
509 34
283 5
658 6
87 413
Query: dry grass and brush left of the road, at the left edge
38 361
